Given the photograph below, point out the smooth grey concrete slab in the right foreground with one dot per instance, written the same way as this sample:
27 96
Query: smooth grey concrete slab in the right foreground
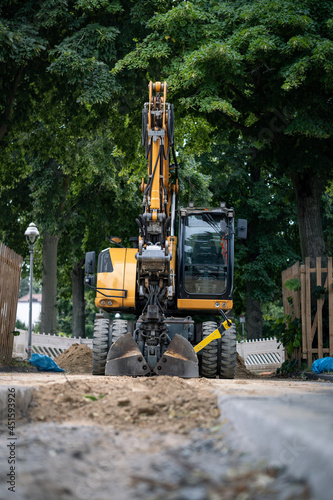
283 431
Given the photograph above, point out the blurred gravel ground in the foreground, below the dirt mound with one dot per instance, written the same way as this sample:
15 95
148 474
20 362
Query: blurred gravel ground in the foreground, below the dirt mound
77 461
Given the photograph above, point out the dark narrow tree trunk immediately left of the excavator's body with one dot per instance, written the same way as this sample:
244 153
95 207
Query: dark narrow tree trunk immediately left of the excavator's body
78 315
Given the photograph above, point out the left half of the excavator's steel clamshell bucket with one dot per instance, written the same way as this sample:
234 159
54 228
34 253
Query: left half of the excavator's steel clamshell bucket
125 358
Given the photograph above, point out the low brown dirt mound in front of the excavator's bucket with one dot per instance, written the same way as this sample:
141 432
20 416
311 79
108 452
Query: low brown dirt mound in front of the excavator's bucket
157 403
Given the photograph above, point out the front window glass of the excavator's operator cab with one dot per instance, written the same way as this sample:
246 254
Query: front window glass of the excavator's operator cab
204 262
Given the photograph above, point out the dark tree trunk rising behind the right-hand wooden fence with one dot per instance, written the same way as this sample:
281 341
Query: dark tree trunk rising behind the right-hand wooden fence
309 190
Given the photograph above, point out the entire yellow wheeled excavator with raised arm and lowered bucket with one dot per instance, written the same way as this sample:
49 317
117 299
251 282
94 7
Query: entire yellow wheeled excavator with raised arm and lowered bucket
177 283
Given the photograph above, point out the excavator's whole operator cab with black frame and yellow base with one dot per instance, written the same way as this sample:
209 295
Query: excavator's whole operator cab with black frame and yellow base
205 261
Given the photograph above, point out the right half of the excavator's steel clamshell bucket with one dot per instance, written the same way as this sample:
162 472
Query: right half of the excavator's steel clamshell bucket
179 360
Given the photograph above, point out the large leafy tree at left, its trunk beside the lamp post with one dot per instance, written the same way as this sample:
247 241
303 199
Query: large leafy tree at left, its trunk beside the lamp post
66 50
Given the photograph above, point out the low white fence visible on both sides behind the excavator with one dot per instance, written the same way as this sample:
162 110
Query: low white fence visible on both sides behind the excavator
257 354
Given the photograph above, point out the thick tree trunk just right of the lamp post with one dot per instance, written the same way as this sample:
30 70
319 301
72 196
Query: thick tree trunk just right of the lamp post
49 284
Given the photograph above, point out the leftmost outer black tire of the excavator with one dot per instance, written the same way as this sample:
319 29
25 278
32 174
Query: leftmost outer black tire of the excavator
100 345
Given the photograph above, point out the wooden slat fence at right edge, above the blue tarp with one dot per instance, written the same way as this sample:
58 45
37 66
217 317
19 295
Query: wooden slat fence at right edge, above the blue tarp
313 304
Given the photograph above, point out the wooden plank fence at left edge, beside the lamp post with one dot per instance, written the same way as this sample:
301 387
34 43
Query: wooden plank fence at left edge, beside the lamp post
10 274
